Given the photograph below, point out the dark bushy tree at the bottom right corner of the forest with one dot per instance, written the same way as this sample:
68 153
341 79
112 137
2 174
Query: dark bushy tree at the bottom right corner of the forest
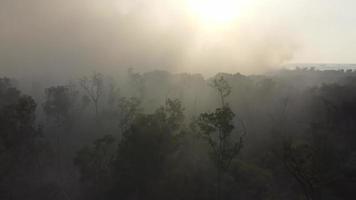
311 162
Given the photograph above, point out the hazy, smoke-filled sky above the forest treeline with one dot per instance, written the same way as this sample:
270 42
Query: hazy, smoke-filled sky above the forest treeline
69 36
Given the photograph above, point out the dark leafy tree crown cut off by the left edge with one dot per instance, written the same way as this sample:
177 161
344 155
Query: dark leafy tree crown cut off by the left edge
18 130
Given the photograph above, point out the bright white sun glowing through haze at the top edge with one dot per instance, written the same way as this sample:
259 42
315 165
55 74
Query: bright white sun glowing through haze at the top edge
215 12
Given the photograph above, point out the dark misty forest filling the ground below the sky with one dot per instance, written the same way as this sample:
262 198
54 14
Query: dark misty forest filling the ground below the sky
286 135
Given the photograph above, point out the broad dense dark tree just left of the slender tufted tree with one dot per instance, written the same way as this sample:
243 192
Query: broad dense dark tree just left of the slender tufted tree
144 149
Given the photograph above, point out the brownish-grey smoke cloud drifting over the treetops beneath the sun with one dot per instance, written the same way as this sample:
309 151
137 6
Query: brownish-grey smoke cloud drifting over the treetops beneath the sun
55 38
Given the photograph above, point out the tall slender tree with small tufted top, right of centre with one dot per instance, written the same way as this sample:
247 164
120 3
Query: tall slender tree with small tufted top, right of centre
217 128
